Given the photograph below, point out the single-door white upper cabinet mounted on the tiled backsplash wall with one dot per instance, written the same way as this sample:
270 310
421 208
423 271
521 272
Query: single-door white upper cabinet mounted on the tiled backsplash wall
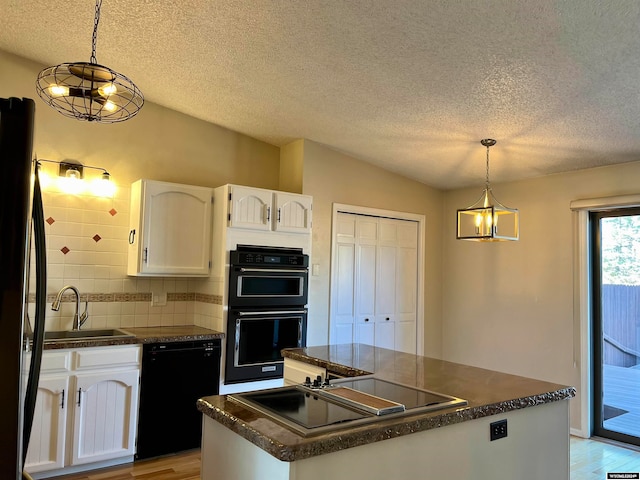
170 229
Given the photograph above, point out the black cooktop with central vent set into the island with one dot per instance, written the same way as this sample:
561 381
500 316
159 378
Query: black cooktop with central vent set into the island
311 410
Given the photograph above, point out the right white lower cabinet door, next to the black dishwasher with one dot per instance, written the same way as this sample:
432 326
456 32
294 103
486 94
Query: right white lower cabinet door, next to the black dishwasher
105 417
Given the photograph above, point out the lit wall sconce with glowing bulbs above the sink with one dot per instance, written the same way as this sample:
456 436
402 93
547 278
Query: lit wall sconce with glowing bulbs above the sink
71 179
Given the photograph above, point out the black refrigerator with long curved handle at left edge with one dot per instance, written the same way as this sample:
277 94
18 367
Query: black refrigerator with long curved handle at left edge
22 244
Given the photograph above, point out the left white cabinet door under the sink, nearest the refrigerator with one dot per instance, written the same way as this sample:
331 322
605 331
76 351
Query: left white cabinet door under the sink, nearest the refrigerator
47 441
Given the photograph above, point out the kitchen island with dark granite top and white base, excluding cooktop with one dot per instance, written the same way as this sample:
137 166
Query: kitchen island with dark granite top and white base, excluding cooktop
240 442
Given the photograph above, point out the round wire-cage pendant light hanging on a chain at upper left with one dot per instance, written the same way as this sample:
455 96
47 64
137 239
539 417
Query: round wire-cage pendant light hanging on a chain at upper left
89 91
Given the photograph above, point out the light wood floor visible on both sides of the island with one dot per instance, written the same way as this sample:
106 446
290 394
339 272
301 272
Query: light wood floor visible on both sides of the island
590 460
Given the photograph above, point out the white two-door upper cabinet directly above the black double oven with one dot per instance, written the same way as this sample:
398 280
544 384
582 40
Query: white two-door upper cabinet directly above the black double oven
268 210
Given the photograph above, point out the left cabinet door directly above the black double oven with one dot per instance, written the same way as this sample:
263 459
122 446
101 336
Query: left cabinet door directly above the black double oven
250 208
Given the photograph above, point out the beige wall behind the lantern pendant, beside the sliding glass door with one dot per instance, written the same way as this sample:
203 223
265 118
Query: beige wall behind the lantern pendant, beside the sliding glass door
509 306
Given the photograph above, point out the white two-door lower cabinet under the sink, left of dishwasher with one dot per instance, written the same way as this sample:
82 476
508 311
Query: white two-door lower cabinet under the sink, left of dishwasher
89 414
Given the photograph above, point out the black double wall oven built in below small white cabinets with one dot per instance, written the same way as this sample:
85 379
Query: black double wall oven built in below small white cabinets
267 310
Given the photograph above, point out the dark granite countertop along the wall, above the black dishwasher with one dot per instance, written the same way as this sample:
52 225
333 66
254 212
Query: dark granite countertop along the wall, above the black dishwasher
141 335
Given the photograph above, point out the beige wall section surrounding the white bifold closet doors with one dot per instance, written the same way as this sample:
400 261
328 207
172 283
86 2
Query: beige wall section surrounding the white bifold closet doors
332 177
